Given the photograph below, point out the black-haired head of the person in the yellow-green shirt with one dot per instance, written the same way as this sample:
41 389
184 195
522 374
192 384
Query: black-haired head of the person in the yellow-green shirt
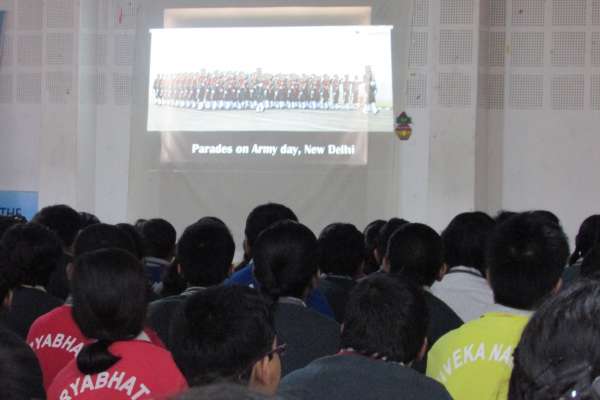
525 259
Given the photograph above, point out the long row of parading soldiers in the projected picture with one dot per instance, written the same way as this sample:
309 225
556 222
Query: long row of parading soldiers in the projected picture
217 90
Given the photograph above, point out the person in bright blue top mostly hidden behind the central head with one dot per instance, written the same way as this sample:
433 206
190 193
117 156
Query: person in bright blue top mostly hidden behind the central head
259 219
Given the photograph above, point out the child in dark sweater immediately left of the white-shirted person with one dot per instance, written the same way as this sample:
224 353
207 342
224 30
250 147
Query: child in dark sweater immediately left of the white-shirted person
416 253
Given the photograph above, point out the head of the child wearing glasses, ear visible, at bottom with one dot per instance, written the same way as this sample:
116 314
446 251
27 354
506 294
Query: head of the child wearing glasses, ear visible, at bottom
226 333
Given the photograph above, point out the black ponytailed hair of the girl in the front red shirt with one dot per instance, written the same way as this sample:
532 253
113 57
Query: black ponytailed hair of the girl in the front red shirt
109 304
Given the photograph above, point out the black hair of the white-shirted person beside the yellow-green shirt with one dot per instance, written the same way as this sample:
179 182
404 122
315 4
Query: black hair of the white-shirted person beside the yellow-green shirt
465 239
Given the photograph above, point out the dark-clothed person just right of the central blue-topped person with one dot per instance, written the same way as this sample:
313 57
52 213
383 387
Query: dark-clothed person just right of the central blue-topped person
341 258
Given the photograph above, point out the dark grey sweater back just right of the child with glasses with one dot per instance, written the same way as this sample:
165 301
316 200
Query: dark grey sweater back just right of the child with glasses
308 335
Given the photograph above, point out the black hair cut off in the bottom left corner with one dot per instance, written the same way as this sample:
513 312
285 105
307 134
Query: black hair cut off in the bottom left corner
20 372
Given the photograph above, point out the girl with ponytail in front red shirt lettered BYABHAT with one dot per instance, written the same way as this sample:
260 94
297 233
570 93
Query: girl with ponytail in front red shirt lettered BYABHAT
121 362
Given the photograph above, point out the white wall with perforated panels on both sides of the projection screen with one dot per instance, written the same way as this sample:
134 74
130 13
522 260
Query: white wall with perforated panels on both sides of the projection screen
482 138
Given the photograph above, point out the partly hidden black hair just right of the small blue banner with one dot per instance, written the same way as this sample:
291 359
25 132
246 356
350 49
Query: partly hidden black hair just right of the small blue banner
62 219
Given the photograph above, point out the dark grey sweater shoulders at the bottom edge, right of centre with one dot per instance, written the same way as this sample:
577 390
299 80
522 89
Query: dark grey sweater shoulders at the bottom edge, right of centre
347 377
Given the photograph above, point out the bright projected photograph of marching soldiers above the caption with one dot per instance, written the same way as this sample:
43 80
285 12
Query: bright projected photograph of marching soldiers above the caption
322 79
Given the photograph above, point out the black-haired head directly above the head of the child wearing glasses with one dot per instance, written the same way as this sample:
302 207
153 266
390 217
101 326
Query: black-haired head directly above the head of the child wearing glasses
205 252
